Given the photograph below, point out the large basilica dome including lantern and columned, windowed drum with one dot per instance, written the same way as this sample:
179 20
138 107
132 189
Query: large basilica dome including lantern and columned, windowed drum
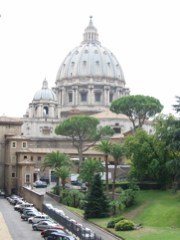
90 77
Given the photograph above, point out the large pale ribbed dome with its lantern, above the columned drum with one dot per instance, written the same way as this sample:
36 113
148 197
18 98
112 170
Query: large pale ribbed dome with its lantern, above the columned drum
90 59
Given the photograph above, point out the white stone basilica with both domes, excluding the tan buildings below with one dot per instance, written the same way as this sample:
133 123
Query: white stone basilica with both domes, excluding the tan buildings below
88 80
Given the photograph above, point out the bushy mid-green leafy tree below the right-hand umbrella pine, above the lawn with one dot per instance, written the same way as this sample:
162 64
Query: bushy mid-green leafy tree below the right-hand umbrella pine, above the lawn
143 151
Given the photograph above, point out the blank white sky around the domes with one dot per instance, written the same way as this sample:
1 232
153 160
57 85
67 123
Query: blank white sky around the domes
36 36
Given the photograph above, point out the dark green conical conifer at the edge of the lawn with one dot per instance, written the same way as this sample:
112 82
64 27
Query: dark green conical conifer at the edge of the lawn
97 204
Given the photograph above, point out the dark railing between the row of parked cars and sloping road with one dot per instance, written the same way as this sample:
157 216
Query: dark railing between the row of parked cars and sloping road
75 229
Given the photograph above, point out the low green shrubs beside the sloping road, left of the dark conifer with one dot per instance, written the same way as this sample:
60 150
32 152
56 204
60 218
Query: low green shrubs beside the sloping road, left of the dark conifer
72 197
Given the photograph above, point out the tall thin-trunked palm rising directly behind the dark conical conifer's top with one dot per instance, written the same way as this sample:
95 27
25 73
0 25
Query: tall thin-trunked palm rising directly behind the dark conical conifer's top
105 147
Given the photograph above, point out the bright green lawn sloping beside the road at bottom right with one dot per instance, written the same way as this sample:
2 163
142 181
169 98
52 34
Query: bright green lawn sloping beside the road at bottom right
157 211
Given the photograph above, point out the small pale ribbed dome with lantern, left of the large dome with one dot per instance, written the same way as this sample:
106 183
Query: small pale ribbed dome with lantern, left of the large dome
45 93
